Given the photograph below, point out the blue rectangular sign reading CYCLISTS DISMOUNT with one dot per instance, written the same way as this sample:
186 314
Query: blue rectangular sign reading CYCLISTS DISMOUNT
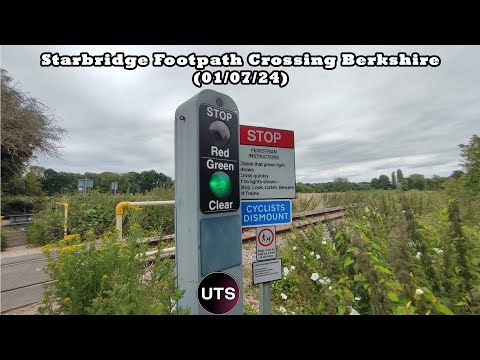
266 212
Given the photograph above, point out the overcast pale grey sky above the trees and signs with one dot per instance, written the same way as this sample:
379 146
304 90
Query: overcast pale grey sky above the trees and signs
355 122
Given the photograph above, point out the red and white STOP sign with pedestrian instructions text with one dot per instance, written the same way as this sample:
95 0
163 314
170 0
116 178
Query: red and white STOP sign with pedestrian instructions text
267 163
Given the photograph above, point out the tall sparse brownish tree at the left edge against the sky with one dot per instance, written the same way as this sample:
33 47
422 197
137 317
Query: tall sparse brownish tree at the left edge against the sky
28 128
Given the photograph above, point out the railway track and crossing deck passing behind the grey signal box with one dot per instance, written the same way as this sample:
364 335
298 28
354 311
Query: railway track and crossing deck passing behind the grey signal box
30 289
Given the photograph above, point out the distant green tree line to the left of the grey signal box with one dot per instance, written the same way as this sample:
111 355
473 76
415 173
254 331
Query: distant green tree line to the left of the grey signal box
40 181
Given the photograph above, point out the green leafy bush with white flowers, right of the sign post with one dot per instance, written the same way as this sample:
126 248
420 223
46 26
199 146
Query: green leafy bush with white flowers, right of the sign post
394 253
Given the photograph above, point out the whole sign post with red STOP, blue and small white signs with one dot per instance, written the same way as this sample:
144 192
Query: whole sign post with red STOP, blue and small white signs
267 183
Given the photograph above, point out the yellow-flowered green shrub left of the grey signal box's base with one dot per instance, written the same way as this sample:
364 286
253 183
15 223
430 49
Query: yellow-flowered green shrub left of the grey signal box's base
108 277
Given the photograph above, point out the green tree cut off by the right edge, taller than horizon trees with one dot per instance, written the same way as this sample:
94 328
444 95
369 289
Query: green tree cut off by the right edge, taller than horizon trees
471 163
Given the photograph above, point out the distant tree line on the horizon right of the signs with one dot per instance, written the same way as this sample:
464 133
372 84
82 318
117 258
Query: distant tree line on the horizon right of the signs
414 181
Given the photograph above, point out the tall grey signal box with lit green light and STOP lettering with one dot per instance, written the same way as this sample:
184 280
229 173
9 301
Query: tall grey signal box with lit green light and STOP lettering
208 235
